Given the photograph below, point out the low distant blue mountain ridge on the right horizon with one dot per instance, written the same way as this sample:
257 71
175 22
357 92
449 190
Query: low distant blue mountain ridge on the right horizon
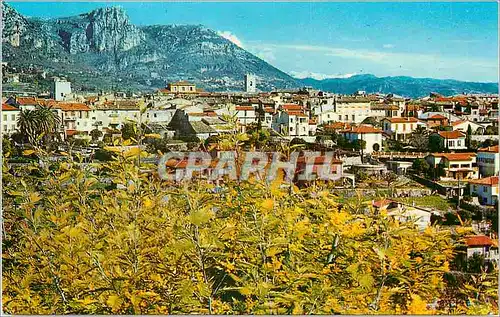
400 85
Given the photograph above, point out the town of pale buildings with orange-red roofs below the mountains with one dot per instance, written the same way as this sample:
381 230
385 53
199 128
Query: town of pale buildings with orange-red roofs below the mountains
426 156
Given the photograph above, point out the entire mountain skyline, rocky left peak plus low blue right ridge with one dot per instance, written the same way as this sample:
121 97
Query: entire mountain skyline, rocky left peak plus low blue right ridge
102 49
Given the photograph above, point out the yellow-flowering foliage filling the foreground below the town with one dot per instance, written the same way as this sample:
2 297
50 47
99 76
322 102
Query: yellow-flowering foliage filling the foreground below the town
87 247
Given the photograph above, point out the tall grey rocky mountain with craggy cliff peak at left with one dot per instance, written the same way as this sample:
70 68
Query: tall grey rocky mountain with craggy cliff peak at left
104 42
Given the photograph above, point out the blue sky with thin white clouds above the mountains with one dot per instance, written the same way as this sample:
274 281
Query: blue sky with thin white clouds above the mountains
439 40
